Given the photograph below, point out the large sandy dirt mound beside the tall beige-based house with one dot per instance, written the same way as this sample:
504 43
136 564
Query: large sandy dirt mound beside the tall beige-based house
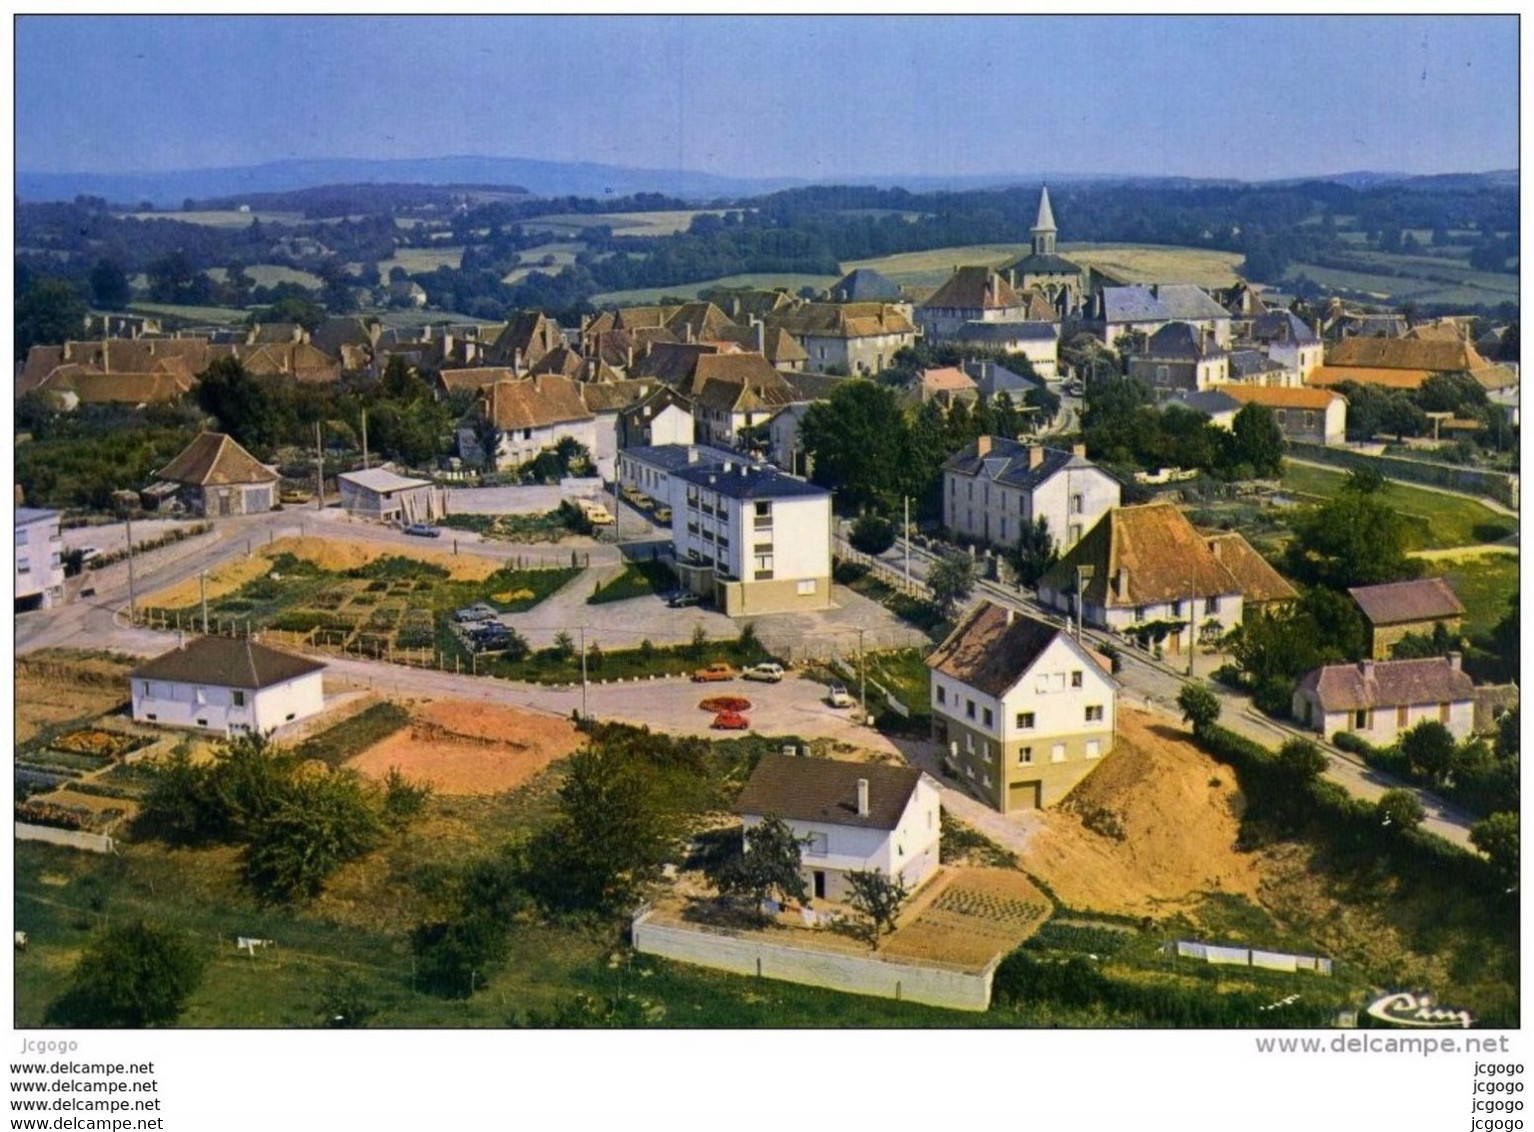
1150 832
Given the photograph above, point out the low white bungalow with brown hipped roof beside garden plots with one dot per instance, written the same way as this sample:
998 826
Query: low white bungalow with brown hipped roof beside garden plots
229 686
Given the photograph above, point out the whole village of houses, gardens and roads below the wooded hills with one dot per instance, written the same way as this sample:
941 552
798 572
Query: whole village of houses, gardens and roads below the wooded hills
874 620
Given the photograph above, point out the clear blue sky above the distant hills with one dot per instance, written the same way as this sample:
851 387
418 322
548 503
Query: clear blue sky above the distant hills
783 97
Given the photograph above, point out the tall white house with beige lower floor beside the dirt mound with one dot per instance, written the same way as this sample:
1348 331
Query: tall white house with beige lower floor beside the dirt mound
1022 709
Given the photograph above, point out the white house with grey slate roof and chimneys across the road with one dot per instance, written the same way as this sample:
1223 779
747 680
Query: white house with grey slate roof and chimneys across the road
995 487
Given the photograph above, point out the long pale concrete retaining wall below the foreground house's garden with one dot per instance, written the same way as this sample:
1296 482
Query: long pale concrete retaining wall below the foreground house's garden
869 975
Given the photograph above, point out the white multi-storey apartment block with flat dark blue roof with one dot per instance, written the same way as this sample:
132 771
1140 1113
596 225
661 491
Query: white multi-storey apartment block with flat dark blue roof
752 539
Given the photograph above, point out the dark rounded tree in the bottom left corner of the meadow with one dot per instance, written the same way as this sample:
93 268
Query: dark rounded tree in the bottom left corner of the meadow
134 975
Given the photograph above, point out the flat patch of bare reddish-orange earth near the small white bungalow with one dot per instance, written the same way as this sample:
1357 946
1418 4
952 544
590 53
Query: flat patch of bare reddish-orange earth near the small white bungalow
466 748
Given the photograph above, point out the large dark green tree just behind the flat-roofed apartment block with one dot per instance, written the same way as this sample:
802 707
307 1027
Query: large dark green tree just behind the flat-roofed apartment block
857 444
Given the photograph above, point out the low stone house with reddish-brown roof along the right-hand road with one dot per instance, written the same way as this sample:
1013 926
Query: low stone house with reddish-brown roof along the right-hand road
1381 700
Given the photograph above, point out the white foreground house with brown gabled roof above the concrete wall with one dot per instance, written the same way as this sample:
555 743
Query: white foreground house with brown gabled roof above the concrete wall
849 817
